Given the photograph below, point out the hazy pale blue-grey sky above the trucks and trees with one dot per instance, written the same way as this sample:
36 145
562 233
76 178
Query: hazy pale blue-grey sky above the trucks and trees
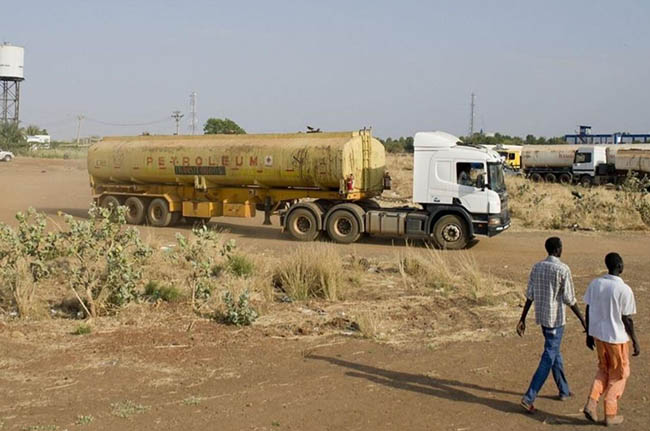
278 66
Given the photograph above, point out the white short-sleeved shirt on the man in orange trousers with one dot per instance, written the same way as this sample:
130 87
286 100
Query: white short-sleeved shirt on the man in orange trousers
609 298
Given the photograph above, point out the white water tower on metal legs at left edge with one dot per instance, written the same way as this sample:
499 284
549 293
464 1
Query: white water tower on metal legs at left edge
12 59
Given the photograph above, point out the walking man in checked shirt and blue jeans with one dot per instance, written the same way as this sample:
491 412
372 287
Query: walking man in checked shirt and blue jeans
550 287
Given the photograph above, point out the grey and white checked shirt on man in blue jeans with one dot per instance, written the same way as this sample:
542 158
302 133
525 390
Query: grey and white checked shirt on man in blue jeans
550 287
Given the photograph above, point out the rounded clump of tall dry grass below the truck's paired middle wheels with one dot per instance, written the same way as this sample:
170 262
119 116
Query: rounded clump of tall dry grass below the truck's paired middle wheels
313 271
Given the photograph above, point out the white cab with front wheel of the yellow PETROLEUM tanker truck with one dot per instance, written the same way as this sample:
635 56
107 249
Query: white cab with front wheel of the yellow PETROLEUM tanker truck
459 185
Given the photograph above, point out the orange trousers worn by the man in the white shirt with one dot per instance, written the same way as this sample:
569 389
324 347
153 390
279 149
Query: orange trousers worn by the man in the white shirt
613 371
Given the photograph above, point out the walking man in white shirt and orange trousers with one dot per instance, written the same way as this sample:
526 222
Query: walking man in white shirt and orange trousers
610 306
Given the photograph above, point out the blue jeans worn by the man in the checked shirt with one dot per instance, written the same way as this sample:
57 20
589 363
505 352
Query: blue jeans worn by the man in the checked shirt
551 360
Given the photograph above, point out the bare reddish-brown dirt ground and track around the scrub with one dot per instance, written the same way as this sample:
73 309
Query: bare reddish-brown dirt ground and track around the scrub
183 372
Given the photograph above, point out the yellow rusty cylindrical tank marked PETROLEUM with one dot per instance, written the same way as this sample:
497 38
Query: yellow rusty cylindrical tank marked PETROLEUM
322 161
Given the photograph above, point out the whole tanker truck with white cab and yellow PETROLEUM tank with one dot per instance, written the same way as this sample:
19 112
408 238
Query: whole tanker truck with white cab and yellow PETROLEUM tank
320 182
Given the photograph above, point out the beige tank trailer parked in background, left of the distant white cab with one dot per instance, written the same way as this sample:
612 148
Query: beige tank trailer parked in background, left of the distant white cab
549 163
